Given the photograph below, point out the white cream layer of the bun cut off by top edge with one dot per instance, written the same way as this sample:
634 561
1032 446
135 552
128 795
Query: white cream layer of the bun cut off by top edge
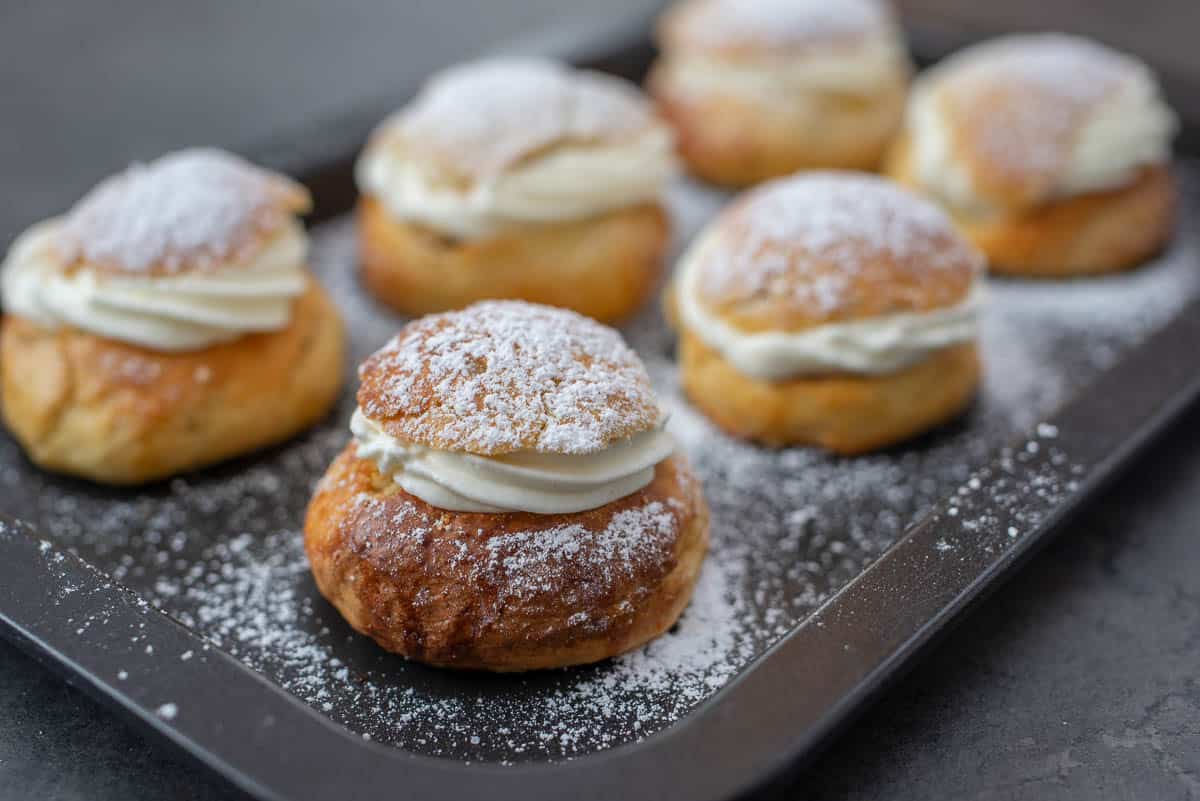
860 69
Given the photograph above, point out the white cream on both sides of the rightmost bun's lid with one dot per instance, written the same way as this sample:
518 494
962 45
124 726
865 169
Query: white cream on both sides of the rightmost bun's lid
1129 131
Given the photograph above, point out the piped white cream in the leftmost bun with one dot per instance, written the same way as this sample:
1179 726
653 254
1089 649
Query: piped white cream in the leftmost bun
171 314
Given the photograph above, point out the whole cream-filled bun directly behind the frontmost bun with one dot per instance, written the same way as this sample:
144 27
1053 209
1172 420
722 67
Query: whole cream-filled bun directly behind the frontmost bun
518 179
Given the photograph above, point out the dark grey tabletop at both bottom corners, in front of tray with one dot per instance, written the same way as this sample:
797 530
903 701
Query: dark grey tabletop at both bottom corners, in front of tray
1075 682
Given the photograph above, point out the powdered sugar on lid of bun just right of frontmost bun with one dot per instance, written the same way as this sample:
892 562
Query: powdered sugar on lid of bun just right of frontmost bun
782 239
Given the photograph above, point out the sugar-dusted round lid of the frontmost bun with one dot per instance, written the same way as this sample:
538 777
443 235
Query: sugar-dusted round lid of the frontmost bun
502 377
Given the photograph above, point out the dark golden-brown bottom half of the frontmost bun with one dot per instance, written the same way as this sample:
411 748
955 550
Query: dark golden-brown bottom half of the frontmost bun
469 591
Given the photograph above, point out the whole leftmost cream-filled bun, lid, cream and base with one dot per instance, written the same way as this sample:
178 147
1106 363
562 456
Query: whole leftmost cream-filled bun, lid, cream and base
166 322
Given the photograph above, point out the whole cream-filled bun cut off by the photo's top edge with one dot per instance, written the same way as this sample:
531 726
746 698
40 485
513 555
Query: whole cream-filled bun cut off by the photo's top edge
759 89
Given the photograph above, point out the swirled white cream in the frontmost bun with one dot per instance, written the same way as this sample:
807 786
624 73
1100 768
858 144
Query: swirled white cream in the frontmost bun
543 484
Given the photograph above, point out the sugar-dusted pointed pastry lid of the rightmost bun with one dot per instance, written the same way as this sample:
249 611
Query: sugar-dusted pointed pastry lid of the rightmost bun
1016 106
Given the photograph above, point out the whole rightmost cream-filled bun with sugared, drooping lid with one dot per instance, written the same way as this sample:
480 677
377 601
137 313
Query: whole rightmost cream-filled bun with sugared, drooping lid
1051 152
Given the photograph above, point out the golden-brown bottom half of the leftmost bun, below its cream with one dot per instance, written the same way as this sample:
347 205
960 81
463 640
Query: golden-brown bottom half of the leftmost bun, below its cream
121 414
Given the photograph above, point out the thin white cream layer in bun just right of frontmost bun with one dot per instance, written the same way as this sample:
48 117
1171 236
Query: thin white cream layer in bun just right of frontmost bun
875 346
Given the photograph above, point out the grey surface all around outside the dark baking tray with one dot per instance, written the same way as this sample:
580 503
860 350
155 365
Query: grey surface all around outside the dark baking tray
1078 680
